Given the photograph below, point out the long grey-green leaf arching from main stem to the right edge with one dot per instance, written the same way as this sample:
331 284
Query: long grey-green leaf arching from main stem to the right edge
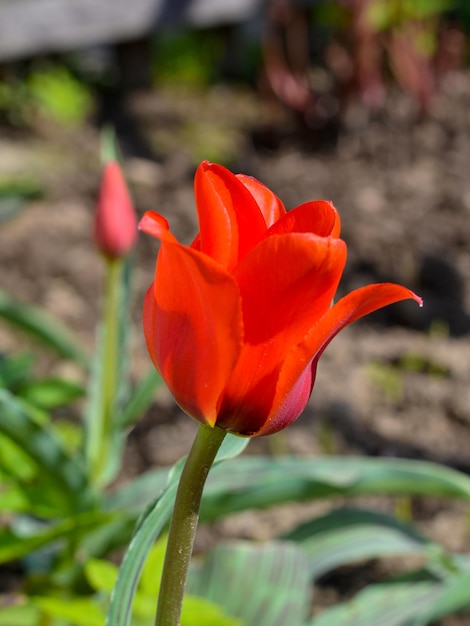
260 482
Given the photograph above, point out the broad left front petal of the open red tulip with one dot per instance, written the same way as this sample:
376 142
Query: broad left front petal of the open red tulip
193 327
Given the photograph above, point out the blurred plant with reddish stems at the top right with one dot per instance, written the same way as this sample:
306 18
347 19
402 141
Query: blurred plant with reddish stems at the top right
407 37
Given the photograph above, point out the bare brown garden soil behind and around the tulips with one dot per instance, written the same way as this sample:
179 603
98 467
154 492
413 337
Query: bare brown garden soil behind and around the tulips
395 384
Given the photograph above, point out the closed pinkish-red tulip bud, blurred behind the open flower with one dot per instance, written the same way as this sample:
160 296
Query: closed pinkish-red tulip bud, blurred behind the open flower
115 219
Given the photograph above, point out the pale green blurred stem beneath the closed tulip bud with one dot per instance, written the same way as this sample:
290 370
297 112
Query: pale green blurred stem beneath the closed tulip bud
101 421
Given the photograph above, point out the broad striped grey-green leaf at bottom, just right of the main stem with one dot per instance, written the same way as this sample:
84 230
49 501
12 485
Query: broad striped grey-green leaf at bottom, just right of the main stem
263 584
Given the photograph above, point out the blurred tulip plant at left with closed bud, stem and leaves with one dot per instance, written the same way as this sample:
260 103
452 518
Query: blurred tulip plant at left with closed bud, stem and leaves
61 439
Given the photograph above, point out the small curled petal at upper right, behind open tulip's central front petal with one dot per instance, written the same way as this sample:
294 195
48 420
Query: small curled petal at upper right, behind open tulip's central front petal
318 217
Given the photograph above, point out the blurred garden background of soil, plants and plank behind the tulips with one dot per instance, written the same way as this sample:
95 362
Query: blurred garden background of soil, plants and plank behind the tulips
362 102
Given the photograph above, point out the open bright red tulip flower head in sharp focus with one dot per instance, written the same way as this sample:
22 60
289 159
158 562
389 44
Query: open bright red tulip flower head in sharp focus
236 322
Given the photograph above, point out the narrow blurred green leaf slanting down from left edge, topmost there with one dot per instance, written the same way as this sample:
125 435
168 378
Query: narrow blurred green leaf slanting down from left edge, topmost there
40 326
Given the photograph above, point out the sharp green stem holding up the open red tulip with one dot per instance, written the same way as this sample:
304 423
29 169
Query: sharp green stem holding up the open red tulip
184 524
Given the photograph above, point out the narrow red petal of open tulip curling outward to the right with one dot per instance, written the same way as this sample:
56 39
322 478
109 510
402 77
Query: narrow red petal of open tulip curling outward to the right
306 354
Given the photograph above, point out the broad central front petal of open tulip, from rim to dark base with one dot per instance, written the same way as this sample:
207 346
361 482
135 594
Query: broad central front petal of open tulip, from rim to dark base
286 283
